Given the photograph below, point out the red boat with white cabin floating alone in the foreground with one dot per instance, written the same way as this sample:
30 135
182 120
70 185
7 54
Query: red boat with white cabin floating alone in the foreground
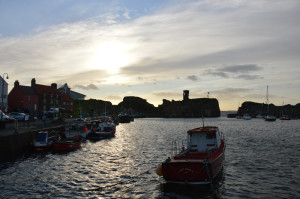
201 162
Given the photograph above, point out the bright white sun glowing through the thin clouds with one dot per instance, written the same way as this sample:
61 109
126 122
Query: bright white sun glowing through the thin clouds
111 57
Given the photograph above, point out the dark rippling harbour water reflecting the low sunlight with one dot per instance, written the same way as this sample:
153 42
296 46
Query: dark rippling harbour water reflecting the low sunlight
262 161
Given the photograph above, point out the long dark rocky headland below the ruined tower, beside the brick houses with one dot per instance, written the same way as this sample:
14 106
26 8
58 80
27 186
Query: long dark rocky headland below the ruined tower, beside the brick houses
138 107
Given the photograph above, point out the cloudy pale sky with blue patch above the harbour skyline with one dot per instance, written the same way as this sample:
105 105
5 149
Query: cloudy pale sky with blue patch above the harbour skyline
225 49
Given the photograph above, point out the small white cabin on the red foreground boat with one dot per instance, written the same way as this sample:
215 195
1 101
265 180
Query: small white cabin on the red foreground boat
203 139
